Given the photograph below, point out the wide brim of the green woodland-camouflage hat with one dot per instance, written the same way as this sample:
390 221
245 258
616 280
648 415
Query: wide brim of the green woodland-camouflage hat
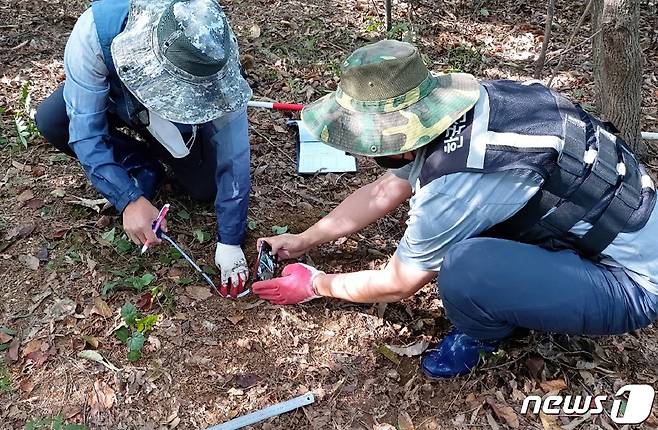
378 134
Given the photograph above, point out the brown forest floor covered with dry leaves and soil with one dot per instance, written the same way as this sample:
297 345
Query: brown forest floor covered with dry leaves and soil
207 359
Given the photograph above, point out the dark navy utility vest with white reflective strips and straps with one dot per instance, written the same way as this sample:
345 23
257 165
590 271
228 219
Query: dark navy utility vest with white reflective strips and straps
589 173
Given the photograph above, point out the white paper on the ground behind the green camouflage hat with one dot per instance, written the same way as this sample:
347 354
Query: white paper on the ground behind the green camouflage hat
317 157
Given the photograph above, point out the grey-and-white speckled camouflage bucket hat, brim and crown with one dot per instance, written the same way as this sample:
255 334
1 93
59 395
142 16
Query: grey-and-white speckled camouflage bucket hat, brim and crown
180 59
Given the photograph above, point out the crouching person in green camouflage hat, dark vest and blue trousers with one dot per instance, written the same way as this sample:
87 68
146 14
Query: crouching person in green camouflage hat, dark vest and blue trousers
528 211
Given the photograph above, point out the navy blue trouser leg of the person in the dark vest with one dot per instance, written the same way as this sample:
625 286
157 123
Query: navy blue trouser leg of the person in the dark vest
491 286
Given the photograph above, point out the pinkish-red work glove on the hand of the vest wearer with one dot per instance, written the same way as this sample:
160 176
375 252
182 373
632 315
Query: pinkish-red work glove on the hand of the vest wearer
295 286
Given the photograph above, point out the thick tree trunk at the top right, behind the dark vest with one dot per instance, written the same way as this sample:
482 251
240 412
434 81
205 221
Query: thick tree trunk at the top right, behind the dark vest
618 66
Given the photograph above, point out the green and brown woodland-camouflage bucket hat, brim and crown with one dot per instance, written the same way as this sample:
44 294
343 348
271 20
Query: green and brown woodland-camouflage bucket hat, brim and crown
388 102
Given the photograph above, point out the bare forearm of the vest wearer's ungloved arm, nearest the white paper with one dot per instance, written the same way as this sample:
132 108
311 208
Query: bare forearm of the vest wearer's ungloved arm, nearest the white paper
360 209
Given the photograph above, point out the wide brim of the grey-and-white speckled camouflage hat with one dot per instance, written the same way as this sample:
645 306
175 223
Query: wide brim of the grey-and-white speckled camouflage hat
170 92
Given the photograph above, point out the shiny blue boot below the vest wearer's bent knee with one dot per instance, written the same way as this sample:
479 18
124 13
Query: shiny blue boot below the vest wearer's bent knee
456 354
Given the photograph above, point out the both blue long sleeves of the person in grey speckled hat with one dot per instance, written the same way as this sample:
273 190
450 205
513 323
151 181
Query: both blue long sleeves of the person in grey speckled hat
87 97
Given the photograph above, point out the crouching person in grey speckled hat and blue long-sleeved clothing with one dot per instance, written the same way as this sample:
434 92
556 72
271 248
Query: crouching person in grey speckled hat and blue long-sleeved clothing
168 71
